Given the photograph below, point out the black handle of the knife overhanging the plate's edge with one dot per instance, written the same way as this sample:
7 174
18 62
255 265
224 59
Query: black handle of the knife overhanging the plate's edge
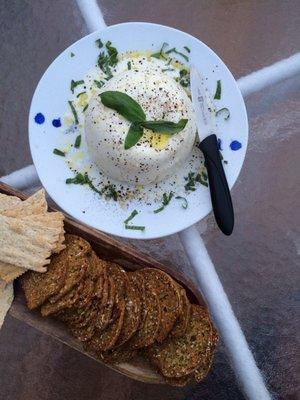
219 190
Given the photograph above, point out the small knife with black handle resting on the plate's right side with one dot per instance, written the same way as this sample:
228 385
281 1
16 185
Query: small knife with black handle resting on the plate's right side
207 128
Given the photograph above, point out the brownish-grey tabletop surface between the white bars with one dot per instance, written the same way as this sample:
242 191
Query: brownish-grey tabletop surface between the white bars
258 264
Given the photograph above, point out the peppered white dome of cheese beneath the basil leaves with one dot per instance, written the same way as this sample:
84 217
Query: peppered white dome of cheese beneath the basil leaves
156 156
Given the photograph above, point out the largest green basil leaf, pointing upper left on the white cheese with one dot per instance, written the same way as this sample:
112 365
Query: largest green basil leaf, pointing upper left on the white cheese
124 105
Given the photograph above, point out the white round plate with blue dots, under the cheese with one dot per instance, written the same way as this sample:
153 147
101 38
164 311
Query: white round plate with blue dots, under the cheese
50 99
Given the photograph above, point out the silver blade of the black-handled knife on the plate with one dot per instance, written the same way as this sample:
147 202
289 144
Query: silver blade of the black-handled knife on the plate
203 105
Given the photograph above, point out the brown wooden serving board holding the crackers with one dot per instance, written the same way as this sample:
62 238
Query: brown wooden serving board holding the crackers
110 249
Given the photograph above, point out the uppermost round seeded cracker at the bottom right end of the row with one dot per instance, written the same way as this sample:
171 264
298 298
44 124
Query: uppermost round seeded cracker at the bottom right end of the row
177 357
